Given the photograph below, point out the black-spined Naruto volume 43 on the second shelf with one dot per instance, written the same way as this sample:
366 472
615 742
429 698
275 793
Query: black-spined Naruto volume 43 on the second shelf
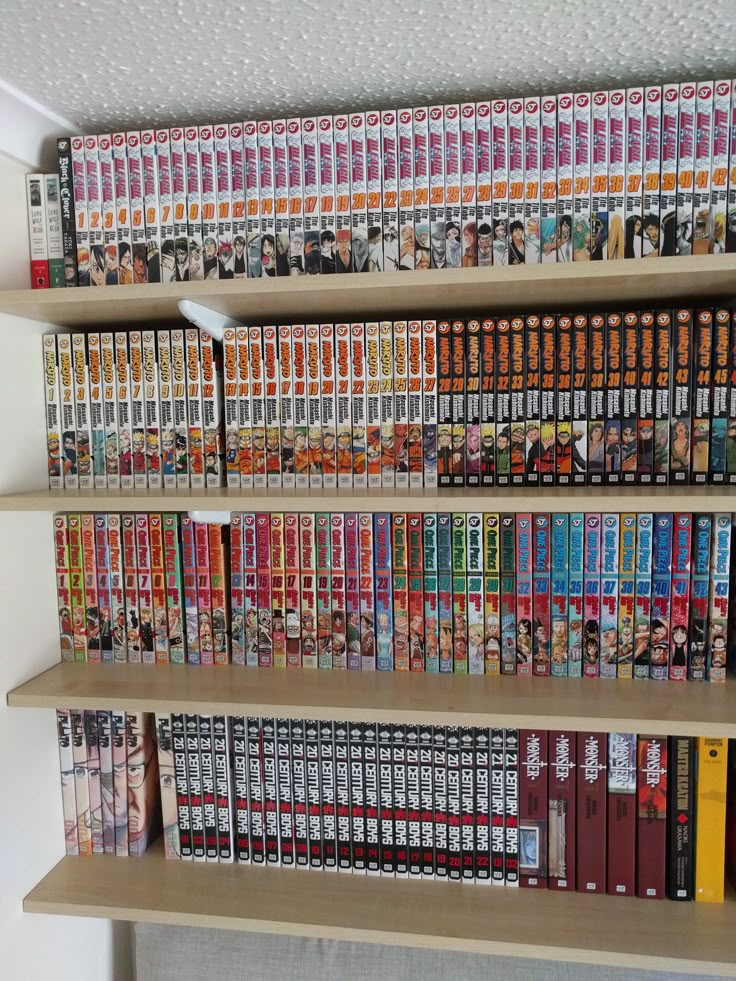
681 440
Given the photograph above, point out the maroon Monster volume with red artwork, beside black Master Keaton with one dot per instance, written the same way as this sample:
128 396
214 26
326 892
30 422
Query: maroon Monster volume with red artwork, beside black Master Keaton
651 831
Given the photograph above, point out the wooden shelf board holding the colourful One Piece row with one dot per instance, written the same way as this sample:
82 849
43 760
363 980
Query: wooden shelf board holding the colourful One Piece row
657 708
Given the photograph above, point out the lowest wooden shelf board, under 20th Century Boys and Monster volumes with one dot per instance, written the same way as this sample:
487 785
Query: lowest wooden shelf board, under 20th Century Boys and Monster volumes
634 933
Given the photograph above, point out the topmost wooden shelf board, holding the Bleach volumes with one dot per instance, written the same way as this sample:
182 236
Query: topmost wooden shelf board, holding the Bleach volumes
363 296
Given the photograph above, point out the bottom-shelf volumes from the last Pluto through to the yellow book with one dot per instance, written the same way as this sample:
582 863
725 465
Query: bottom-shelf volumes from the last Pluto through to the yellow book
587 812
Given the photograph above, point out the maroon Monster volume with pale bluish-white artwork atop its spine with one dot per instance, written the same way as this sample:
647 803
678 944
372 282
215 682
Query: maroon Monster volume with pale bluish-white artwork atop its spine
621 839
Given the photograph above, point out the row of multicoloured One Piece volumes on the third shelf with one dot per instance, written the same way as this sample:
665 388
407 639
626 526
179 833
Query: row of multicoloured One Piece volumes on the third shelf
594 595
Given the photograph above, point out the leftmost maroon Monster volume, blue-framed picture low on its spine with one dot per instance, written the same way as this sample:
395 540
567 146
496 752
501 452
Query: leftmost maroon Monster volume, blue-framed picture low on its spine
533 809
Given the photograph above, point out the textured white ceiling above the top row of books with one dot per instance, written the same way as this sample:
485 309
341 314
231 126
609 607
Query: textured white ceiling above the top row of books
106 64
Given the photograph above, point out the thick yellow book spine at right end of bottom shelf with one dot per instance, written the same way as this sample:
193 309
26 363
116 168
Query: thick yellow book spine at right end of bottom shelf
710 835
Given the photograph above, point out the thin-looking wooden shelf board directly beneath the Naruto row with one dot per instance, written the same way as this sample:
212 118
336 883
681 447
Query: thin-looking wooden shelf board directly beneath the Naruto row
566 499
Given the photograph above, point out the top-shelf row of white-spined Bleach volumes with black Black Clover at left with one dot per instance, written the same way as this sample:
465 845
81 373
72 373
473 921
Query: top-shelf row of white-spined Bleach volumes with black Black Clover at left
626 173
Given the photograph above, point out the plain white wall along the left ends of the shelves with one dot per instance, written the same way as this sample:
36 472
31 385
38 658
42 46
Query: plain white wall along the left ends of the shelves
32 947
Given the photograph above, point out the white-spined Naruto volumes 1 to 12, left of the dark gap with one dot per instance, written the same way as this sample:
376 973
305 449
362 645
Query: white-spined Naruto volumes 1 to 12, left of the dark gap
133 410
